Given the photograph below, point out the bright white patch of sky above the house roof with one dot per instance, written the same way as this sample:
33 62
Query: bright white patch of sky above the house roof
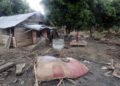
35 5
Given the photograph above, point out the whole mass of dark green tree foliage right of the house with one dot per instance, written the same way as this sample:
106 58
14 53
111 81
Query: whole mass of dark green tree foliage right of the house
84 14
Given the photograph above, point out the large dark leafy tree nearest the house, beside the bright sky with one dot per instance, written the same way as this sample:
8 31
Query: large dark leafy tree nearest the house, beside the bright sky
72 14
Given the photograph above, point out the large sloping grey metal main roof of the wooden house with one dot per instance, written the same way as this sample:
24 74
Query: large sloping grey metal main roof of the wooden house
11 21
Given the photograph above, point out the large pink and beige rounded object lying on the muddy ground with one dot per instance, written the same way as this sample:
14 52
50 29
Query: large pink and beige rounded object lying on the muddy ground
50 68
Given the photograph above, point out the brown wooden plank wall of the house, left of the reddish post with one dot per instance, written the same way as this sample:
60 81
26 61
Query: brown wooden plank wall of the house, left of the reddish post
22 38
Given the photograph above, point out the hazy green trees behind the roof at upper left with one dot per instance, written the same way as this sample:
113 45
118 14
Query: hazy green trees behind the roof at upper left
10 7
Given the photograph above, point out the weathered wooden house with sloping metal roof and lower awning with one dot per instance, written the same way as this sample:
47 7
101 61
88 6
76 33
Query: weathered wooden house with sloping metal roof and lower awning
22 30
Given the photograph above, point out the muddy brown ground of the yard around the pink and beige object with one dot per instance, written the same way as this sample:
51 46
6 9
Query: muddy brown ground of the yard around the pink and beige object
94 55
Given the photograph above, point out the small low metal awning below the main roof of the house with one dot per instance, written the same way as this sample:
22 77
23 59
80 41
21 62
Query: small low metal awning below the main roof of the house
38 27
